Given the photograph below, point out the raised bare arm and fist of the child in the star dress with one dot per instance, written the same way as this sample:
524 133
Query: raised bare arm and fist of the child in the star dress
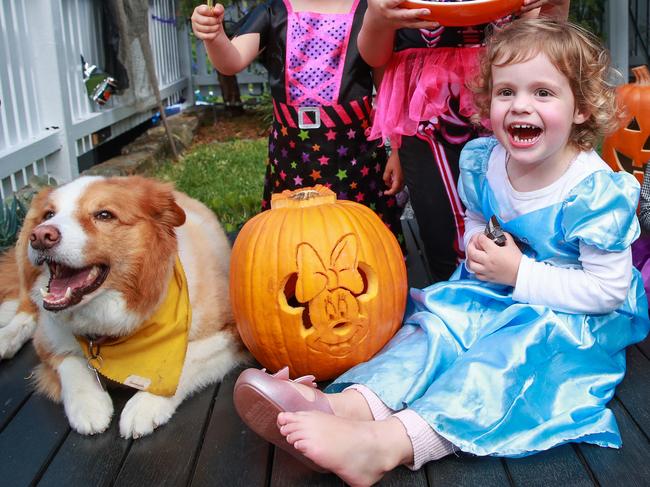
228 57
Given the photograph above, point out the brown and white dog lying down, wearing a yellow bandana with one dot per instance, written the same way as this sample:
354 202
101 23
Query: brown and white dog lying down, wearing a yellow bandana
100 281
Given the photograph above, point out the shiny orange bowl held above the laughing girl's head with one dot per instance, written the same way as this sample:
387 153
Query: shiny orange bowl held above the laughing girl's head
458 14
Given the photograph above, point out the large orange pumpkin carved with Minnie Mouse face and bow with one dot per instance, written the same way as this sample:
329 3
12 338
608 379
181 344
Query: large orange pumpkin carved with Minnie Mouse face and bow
316 284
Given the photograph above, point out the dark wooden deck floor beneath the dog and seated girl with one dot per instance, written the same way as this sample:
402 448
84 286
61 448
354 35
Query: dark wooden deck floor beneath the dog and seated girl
205 443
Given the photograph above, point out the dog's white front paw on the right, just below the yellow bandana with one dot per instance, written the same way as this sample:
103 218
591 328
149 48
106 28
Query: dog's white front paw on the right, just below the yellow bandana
144 412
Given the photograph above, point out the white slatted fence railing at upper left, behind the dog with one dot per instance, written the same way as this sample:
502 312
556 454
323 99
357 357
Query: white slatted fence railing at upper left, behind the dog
46 118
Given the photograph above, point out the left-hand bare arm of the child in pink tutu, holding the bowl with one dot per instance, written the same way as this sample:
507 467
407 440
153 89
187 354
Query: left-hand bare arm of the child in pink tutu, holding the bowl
381 20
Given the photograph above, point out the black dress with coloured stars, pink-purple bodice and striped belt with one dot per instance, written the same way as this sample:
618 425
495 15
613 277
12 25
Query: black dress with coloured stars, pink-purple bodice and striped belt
322 94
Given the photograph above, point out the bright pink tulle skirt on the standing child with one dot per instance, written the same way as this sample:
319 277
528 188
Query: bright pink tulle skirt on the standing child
418 84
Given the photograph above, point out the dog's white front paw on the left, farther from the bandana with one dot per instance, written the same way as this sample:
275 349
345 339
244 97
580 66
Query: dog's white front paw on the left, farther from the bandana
89 412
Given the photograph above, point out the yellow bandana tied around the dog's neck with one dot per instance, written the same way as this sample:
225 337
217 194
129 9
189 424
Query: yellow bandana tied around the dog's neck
152 358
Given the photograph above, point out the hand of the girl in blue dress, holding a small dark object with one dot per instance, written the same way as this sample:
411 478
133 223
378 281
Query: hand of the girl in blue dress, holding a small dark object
493 263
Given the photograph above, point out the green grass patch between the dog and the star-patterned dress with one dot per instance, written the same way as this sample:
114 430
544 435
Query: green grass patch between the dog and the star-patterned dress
226 176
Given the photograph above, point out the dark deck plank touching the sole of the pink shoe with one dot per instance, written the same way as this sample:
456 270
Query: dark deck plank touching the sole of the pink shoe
232 455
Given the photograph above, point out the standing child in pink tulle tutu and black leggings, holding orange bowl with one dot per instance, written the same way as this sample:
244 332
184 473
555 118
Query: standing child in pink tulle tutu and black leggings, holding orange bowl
426 111
